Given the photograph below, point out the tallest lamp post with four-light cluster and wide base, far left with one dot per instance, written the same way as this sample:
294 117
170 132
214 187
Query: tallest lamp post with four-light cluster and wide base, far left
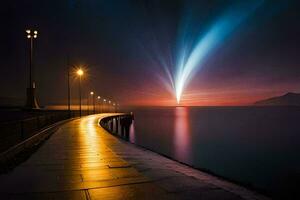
31 99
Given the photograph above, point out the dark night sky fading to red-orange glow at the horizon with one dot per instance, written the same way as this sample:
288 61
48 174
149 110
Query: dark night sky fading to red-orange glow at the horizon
124 45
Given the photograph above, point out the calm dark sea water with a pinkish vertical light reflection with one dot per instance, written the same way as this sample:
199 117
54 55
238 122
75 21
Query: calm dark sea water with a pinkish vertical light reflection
257 146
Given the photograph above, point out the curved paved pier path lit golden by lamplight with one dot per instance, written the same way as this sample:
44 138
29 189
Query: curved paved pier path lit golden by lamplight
83 161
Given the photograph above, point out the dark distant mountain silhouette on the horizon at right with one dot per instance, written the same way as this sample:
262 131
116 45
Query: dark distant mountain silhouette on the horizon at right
289 99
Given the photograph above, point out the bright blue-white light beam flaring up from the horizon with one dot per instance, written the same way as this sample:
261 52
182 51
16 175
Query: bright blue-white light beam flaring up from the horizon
221 29
